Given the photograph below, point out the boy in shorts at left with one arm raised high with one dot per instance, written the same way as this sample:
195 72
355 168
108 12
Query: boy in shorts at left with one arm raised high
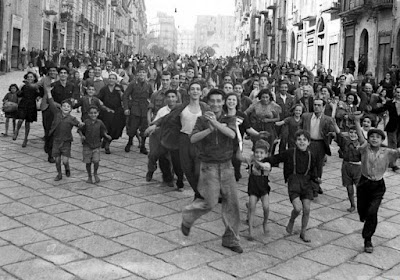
61 128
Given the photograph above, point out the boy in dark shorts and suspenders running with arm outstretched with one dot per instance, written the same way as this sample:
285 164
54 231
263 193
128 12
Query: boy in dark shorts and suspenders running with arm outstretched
299 171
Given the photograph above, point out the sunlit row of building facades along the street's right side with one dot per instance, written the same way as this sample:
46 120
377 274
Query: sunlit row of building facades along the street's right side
327 32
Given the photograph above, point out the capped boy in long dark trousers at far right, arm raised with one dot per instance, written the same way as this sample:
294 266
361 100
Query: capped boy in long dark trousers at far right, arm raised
375 160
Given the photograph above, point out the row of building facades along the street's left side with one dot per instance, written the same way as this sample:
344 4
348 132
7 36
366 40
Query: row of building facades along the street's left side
83 25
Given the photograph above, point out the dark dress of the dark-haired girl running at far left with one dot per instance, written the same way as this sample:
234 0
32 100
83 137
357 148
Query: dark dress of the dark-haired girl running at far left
27 105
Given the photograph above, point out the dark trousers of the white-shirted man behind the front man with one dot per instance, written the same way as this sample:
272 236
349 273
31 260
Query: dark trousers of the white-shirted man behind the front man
190 162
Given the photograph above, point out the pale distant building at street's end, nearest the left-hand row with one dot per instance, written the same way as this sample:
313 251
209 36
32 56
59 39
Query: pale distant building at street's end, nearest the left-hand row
163 32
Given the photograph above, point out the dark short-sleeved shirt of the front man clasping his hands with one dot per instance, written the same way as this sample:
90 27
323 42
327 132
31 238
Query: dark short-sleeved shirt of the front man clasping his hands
215 147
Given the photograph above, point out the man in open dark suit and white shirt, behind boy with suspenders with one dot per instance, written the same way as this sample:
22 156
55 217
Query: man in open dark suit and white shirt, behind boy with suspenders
319 126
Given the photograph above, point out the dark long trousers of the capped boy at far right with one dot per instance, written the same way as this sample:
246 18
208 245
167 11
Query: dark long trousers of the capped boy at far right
369 197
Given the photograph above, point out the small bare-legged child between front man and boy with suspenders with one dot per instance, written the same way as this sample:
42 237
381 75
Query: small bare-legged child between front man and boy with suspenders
258 187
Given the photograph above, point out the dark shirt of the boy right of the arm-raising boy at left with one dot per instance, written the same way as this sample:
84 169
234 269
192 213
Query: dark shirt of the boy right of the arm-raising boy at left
93 132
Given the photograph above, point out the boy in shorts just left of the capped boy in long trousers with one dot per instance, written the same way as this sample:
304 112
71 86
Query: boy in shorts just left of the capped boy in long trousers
351 166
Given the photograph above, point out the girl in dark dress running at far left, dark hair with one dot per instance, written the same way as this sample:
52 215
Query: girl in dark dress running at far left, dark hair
27 110
